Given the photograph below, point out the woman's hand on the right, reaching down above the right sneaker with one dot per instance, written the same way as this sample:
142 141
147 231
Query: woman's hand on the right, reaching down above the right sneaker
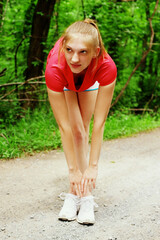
89 179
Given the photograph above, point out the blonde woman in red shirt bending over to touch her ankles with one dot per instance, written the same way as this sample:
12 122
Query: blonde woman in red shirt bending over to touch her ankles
80 78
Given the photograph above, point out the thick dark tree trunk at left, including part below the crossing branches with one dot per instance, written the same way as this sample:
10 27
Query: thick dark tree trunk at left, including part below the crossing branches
35 61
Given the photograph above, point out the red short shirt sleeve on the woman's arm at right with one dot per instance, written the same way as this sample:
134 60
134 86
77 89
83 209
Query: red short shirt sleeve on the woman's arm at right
107 73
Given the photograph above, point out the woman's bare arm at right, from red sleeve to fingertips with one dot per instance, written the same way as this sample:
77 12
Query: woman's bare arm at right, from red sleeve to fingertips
103 103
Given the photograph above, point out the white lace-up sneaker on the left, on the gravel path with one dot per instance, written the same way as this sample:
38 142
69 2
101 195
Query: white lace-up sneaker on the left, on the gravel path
70 207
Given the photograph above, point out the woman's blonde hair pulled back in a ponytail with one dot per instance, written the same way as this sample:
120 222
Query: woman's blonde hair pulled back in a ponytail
87 27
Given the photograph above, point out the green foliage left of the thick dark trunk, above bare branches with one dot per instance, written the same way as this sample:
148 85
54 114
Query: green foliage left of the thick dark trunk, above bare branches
14 28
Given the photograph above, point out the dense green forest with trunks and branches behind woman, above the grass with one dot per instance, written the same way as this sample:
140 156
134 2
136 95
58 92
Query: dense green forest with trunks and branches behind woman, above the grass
130 31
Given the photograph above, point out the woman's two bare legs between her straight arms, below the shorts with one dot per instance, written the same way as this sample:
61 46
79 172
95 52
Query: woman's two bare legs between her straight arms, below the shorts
80 109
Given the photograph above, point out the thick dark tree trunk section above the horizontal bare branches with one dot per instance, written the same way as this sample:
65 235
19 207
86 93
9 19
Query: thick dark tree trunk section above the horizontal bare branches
40 27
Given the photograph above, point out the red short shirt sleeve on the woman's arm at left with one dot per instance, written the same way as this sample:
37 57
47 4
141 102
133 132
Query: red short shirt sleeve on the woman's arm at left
54 79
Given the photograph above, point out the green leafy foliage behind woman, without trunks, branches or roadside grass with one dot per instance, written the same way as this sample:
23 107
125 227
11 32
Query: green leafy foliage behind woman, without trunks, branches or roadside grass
125 31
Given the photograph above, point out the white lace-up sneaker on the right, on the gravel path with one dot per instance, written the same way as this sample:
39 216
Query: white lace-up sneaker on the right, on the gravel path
86 212
